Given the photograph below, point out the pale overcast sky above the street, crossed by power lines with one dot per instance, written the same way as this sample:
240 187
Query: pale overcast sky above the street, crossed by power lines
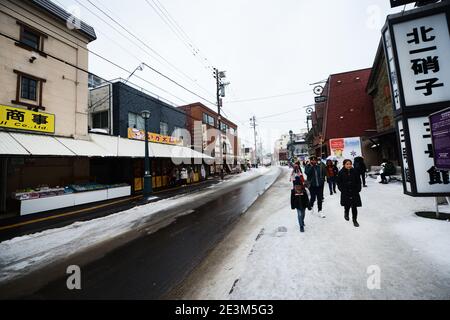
267 47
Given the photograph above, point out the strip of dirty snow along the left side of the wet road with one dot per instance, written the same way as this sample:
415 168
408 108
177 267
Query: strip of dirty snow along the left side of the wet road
23 255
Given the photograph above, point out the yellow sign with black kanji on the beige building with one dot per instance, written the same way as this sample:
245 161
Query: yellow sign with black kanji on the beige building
23 119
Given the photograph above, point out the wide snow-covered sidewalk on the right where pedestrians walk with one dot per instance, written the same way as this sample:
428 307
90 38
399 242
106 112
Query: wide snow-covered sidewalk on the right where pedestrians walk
266 257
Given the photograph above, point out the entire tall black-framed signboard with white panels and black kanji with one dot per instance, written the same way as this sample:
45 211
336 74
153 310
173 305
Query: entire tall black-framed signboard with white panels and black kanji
417 49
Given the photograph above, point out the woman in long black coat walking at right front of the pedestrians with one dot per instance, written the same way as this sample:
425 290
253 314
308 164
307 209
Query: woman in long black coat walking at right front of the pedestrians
349 184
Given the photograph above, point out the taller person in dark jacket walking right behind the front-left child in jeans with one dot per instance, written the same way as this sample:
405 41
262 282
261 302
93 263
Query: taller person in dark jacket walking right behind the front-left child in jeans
316 180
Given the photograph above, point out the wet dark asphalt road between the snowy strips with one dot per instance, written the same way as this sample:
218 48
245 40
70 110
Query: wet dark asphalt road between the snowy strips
149 267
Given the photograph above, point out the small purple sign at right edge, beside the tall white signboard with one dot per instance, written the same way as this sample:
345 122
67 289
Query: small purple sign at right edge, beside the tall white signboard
440 134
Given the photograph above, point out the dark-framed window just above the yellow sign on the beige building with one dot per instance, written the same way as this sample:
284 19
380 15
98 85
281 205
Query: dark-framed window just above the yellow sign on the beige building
29 91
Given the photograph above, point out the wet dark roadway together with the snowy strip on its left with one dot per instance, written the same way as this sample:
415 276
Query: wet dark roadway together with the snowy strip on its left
151 247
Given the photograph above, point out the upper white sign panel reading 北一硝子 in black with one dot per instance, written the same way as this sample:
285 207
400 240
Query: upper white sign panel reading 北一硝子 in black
422 50
